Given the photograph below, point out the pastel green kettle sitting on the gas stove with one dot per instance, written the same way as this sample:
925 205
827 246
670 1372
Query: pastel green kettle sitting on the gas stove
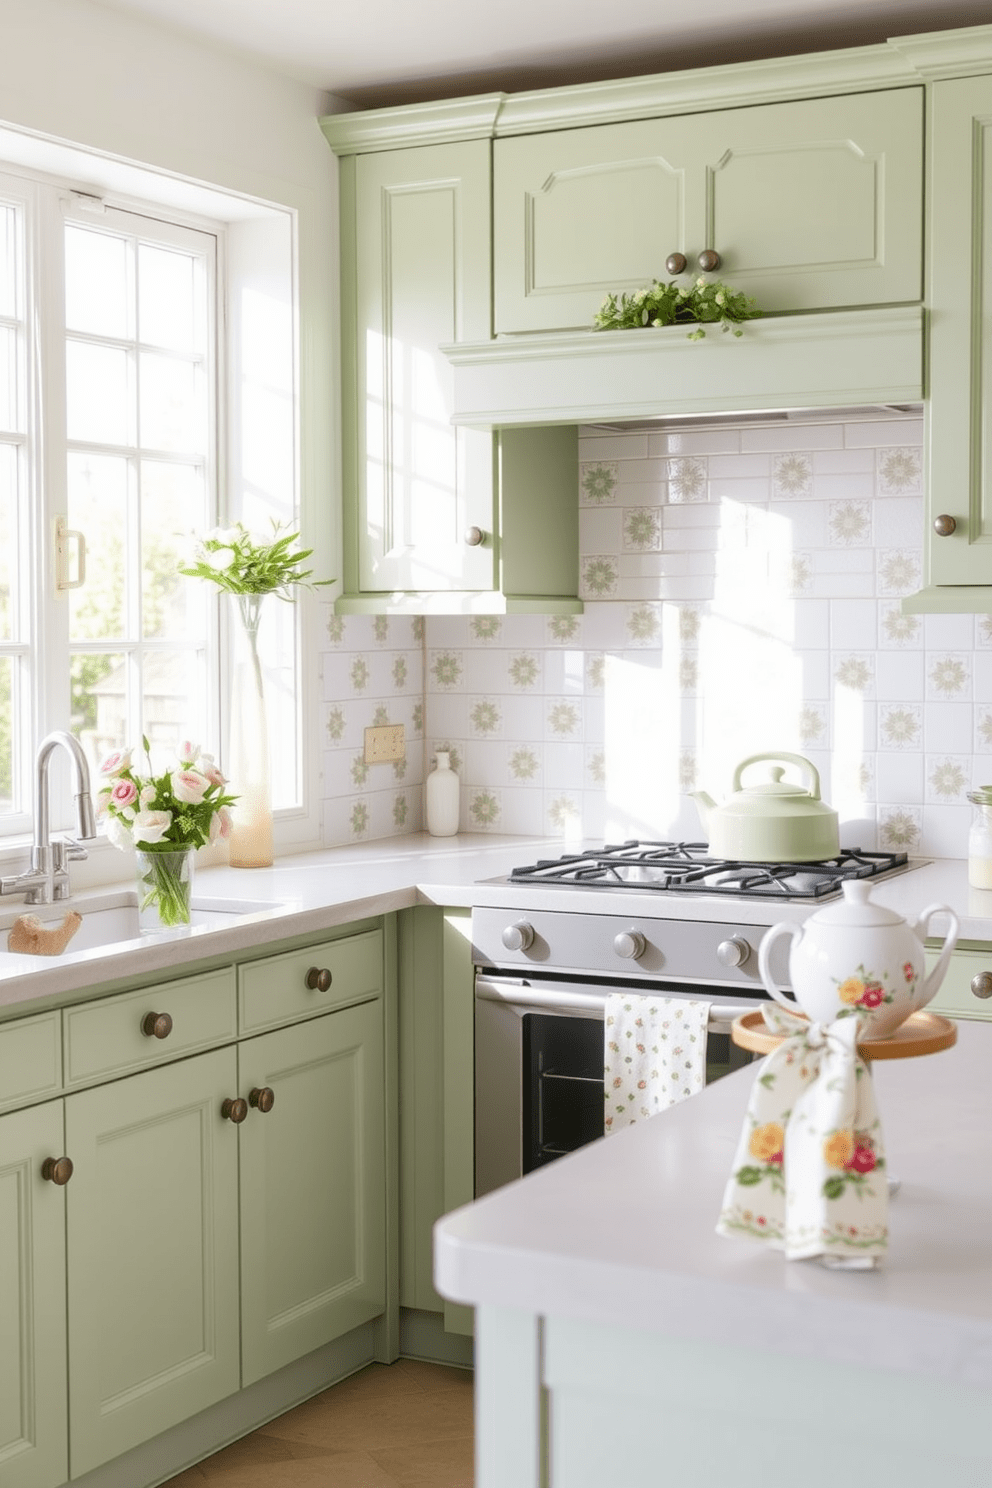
771 821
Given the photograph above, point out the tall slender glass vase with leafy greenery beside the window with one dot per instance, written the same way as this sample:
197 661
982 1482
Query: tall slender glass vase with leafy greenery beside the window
249 569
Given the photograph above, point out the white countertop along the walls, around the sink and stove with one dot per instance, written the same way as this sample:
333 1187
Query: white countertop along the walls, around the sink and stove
316 892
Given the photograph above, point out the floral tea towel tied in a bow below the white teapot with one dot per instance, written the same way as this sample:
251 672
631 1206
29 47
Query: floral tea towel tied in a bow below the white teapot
810 1170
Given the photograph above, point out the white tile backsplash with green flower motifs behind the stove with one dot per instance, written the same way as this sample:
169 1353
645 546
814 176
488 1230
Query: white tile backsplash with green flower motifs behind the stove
743 596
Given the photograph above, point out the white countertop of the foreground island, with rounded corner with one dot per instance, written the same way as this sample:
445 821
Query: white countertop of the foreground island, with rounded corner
624 1233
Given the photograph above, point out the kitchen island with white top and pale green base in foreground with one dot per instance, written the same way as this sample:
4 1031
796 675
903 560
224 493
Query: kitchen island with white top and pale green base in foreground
621 1340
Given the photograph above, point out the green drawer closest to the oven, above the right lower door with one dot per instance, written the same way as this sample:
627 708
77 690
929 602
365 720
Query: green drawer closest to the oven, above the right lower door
276 992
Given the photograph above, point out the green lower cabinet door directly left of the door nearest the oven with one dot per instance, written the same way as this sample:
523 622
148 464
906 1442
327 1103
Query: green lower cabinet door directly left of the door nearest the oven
152 1219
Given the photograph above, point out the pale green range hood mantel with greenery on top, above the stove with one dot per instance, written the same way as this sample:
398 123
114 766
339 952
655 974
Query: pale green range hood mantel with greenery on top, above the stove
829 361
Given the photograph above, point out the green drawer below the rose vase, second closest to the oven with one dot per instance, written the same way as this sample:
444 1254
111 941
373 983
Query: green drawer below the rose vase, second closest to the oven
106 1038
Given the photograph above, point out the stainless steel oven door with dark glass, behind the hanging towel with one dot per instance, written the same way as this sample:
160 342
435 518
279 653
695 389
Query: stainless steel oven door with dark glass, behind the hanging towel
539 1069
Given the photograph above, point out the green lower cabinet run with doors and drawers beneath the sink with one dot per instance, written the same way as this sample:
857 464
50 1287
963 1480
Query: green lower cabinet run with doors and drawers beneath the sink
212 1218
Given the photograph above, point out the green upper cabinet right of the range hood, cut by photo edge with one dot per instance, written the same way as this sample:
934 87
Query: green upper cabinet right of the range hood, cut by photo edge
959 553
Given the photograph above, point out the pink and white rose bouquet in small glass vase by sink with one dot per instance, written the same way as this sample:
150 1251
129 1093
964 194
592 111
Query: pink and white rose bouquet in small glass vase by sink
163 815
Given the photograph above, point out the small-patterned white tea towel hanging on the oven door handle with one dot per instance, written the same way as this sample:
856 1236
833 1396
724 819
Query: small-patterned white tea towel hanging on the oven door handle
655 1056
